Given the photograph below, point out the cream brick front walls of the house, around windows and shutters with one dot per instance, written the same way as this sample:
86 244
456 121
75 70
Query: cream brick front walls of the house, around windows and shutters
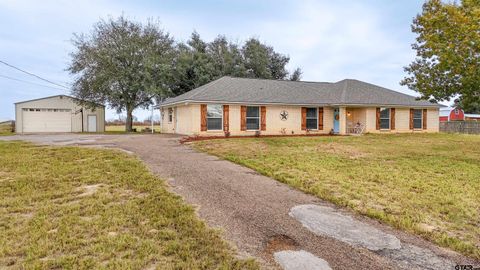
188 117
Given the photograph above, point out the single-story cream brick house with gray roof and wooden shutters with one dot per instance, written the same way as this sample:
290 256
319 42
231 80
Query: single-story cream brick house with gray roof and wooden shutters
242 106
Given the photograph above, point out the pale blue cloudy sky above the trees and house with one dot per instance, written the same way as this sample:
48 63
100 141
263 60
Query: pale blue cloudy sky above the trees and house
330 40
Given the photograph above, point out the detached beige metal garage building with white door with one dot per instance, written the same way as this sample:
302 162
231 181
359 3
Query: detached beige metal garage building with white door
59 113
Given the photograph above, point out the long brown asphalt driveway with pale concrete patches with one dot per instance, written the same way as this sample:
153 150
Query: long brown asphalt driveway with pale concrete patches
280 226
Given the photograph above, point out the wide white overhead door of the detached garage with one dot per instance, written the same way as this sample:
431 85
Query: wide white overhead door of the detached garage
47 120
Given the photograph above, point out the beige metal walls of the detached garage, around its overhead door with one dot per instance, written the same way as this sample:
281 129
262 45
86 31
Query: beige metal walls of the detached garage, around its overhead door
61 102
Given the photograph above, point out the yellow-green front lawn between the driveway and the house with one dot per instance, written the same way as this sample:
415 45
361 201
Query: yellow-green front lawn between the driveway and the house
428 184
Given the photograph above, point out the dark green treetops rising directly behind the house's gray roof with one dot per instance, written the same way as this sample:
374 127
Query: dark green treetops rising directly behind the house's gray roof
199 62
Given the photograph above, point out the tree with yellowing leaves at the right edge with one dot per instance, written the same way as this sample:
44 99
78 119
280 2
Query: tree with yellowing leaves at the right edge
447 65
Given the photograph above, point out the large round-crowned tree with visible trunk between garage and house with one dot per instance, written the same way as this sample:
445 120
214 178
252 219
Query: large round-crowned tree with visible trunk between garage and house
122 63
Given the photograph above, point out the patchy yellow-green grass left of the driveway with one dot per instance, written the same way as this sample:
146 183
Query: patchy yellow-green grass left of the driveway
79 208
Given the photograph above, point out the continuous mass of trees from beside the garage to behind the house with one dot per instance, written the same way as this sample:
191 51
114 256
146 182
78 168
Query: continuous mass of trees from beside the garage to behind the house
129 65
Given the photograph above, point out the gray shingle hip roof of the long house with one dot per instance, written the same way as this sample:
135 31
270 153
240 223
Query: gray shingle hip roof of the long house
260 91
